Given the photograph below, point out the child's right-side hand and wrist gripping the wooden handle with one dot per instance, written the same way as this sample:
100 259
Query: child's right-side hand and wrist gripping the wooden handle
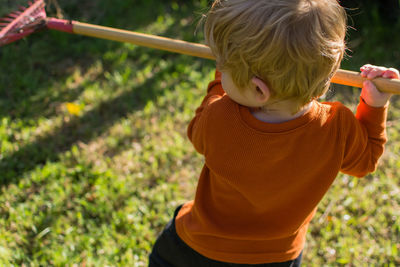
369 93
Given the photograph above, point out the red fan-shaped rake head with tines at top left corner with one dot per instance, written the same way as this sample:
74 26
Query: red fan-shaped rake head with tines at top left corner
22 23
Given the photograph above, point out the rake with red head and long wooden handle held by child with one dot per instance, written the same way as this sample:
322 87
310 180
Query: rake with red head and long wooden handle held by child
33 18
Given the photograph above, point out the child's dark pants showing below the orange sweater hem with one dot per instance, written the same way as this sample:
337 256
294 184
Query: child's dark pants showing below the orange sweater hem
170 251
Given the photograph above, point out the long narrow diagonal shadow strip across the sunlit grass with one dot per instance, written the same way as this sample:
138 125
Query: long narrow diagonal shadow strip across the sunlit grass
90 125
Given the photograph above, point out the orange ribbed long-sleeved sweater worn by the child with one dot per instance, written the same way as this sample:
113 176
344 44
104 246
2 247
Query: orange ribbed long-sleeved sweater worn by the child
261 182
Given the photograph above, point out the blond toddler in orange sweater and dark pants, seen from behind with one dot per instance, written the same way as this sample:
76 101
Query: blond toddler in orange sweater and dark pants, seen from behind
271 150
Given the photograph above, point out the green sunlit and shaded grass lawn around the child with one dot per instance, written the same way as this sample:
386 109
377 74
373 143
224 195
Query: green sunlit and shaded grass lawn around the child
94 187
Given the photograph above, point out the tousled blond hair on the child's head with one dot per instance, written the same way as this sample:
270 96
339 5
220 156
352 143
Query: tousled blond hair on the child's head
295 46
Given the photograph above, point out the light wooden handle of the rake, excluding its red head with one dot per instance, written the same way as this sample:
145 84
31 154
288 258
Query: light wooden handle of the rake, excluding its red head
344 77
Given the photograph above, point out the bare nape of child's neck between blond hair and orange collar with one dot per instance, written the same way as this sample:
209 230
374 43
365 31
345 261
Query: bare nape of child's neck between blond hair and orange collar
279 112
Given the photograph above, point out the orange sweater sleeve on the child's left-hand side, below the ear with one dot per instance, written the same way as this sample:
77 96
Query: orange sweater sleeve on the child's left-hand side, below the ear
197 127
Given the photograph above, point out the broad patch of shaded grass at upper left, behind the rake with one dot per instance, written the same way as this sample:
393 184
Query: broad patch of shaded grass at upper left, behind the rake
32 68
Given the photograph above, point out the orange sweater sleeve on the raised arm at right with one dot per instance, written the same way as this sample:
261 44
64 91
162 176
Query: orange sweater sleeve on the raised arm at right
365 137
